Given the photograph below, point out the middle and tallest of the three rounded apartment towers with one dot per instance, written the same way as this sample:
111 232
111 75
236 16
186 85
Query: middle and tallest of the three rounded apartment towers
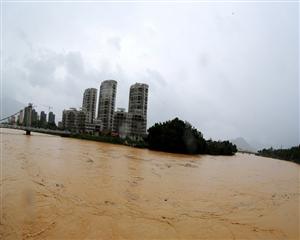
106 106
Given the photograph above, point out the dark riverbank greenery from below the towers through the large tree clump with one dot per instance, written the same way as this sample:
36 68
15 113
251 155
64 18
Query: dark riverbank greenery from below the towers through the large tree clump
174 136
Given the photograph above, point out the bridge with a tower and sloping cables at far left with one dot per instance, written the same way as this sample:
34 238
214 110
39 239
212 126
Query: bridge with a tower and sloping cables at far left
27 127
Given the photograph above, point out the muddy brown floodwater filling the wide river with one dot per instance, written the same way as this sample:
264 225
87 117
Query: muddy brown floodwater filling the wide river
63 188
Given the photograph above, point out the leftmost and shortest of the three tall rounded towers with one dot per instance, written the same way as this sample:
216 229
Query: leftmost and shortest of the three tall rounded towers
89 104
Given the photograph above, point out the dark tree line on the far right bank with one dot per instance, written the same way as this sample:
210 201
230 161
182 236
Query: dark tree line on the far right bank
291 154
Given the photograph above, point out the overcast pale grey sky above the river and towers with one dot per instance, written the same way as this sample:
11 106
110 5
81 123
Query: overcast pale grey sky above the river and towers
230 69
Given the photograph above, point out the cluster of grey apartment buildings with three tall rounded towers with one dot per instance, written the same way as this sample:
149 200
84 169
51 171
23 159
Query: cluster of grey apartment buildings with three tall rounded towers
132 124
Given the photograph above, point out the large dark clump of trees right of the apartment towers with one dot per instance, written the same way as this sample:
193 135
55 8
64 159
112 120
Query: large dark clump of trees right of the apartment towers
180 137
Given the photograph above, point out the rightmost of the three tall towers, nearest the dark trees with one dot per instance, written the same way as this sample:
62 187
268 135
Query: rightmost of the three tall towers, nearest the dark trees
137 109
